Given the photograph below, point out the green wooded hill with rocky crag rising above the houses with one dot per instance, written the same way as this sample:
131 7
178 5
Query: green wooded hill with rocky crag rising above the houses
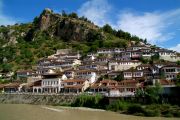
23 44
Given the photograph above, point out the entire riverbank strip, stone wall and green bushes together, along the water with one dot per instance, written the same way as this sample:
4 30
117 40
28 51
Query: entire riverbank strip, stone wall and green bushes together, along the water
92 103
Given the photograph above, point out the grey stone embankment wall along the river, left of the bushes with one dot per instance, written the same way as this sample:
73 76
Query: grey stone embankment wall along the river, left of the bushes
37 99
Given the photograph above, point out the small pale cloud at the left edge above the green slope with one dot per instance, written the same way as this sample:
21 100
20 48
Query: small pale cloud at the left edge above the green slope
4 19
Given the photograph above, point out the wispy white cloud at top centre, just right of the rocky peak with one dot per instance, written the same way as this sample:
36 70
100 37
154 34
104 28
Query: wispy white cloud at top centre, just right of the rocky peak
96 11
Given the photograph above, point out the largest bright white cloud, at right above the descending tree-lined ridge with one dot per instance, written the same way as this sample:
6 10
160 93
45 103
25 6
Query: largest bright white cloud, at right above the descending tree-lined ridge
152 26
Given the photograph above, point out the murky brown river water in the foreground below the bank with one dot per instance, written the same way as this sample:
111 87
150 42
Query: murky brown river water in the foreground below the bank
37 112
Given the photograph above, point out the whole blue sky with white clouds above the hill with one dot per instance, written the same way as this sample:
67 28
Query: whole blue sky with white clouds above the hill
156 20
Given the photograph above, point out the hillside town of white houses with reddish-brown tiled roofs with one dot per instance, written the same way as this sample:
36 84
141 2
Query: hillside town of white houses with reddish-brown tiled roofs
110 72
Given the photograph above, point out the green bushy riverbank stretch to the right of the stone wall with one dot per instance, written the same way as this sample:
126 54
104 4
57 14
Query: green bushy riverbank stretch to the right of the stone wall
127 107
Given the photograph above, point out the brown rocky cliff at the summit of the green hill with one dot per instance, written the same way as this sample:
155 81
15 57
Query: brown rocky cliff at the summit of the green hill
65 27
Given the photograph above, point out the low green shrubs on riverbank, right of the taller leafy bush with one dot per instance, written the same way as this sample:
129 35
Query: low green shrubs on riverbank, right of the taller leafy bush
165 110
